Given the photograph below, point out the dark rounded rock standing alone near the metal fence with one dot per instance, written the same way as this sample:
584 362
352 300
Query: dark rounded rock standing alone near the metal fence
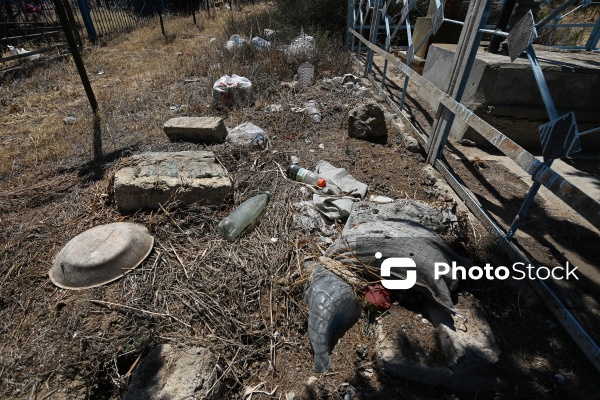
367 121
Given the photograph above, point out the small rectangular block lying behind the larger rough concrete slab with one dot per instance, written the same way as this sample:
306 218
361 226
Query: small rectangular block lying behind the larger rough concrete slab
196 129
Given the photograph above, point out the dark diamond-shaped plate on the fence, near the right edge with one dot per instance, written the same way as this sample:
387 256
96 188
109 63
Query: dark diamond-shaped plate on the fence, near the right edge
559 137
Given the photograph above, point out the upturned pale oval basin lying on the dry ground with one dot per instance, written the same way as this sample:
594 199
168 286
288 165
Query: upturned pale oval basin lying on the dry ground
101 255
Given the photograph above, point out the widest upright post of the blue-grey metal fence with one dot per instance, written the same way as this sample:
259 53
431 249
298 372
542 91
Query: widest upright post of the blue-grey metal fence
464 58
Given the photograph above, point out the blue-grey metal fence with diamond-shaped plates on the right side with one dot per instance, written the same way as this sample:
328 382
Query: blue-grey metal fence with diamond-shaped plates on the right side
559 136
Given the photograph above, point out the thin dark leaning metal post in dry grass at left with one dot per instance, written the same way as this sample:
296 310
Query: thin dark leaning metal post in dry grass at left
64 20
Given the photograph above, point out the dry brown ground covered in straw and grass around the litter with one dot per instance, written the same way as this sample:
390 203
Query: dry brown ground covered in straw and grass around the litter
195 288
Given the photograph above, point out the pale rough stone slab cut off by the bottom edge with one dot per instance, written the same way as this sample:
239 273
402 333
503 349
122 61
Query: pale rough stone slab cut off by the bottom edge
169 372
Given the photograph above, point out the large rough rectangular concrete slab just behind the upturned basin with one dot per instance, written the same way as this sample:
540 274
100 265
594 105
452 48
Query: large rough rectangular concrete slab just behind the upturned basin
155 179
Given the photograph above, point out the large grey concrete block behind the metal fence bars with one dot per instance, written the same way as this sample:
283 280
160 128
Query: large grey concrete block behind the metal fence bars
506 95
